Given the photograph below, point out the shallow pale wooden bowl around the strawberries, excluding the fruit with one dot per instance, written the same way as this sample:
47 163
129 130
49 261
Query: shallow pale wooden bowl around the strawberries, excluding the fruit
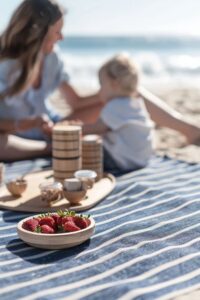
57 240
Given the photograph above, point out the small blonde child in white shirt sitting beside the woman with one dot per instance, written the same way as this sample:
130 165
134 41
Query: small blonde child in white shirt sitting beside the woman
123 122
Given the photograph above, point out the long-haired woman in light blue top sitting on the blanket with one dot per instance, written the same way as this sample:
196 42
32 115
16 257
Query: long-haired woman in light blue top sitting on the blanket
30 70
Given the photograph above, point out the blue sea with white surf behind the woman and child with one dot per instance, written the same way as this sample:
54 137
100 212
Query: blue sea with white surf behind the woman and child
162 60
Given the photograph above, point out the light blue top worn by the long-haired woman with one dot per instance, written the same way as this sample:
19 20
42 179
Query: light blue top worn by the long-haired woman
32 102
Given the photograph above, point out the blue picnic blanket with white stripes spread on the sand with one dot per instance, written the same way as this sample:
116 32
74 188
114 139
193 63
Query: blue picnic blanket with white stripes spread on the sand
146 245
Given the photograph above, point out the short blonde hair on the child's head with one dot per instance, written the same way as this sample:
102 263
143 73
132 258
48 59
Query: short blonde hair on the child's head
124 70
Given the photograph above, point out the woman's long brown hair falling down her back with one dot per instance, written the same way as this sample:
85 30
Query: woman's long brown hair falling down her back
24 36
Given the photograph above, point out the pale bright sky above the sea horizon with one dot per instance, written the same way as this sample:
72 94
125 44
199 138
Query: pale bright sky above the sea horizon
123 17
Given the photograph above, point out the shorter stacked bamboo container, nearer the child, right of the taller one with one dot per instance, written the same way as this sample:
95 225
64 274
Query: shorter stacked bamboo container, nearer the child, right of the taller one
92 154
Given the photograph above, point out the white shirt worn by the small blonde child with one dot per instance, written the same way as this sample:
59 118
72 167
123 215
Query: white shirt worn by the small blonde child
130 139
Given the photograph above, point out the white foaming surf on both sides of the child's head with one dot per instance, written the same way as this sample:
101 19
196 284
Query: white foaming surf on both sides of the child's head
83 69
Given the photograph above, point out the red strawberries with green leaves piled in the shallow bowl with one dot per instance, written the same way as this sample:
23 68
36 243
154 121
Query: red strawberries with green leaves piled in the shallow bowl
60 222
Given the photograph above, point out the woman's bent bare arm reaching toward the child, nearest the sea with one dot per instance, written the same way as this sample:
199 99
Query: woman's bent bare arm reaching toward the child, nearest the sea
75 101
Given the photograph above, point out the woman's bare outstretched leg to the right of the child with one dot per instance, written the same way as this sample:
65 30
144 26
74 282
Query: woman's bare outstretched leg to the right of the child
163 115
